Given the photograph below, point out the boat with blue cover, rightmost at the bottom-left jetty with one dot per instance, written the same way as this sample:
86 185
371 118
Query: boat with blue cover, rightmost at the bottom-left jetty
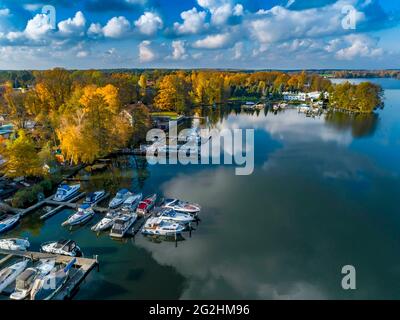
42 291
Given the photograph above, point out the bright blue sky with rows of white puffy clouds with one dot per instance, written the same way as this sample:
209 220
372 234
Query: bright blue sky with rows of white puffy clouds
238 34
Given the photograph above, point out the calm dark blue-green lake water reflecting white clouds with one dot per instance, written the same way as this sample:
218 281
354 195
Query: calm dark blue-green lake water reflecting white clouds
324 194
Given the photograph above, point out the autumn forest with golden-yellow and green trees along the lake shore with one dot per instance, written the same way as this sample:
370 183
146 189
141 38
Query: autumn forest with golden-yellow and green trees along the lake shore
80 114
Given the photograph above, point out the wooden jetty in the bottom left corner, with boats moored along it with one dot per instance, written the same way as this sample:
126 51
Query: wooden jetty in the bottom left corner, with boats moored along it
81 270
